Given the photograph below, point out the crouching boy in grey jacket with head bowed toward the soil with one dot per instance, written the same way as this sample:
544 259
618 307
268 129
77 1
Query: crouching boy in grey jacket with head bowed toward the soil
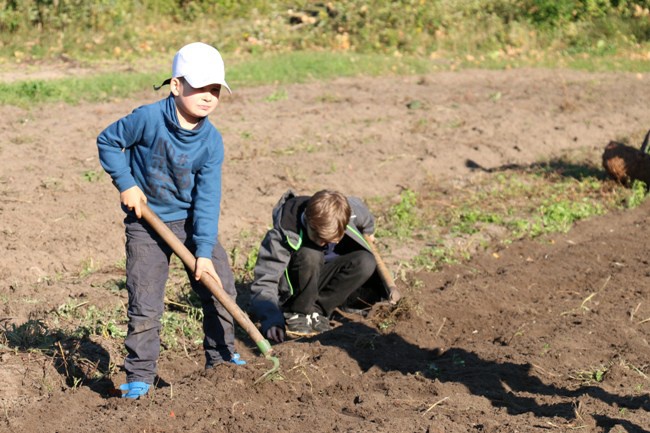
312 261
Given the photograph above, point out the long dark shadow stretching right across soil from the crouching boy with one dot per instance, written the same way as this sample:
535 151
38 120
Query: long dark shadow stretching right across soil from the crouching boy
502 383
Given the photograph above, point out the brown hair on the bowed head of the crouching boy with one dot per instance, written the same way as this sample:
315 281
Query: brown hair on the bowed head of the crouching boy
327 213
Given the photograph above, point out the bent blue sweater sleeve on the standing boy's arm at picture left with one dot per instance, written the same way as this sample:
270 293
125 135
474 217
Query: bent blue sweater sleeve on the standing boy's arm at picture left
111 144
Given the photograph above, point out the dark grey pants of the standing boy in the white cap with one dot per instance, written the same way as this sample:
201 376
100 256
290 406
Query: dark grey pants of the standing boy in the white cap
147 269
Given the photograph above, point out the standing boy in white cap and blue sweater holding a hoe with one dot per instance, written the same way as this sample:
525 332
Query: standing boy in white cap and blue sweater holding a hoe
169 155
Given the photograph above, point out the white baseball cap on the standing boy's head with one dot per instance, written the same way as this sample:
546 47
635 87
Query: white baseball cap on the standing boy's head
200 64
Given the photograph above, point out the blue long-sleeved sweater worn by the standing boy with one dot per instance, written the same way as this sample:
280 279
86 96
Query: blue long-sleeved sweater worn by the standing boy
177 169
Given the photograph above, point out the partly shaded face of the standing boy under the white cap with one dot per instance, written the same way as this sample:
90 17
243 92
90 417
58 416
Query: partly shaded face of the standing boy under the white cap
194 104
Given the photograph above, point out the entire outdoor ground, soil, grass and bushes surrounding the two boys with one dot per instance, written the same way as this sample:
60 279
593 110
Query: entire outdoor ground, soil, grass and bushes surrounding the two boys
524 268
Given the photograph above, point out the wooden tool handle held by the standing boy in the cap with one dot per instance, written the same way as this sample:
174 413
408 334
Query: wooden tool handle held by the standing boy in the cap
208 280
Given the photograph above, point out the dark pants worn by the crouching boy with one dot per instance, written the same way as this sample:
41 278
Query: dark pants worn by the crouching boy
321 287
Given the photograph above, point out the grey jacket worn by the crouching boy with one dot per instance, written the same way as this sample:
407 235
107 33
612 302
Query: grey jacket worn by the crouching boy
271 287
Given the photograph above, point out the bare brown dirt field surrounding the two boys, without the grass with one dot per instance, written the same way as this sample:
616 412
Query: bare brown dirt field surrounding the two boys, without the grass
545 336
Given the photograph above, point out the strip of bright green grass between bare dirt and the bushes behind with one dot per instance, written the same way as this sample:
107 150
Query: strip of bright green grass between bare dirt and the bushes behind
298 67
